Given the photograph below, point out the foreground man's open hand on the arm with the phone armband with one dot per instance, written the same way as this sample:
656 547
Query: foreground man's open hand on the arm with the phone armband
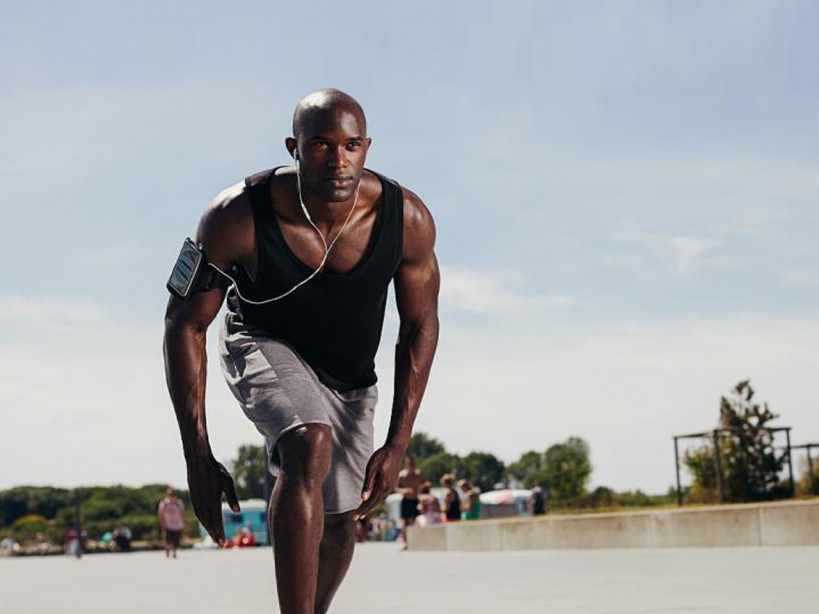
207 480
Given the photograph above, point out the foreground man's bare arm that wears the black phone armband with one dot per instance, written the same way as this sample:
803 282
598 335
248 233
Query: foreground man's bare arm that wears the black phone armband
224 237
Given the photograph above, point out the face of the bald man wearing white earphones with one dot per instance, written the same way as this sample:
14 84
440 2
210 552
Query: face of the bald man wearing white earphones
332 148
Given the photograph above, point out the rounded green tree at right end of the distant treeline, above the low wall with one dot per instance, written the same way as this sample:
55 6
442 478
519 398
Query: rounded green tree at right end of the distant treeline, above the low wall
567 468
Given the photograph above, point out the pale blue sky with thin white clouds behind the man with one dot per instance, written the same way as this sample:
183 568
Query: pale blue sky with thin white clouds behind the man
625 197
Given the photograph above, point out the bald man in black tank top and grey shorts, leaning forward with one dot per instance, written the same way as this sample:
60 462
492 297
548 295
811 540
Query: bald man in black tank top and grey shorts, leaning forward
324 239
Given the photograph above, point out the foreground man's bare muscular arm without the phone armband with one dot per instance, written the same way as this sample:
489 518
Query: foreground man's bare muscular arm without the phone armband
416 282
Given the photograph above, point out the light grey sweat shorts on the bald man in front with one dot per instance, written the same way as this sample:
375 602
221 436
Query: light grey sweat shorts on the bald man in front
280 392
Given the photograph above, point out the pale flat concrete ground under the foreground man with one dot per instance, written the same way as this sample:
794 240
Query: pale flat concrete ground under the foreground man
384 579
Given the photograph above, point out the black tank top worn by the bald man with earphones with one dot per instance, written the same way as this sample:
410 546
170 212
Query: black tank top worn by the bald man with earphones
334 321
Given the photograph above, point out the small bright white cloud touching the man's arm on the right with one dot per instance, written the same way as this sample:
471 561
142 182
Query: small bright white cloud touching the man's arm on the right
493 292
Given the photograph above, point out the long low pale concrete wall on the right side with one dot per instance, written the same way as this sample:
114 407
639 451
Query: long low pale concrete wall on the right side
794 523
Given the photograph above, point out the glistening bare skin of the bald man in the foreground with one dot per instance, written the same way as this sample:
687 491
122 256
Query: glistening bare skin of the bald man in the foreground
312 551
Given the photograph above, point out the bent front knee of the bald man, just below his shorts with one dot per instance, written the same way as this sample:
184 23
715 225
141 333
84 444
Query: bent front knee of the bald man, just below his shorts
305 452
